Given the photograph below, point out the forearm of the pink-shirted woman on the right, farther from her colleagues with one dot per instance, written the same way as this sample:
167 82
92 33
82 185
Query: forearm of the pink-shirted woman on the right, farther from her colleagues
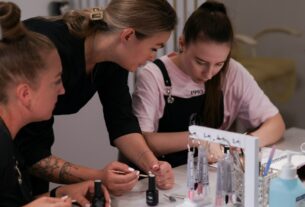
270 131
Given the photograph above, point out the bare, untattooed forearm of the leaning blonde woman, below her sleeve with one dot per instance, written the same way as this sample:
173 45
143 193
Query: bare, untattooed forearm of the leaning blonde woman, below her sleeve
134 147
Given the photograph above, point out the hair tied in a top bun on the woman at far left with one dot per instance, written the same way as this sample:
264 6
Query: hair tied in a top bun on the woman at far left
21 51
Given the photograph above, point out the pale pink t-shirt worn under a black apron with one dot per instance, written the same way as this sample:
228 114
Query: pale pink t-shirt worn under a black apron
243 98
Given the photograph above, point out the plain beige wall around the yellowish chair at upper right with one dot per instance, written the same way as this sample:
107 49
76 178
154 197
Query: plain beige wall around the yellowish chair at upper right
251 16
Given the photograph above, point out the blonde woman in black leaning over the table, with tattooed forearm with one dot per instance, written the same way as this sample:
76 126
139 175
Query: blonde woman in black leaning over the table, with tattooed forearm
98 47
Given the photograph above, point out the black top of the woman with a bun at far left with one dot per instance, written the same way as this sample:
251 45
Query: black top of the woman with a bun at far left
11 194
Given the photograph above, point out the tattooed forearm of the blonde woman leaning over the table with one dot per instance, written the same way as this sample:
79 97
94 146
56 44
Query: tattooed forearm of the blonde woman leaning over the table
57 170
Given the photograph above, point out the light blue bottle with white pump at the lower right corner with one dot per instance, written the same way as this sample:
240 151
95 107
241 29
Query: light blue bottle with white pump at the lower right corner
287 190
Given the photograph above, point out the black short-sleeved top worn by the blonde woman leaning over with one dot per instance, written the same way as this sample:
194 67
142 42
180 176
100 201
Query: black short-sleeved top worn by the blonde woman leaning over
108 79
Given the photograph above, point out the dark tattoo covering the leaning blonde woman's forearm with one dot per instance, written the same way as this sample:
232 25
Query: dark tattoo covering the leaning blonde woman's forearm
52 170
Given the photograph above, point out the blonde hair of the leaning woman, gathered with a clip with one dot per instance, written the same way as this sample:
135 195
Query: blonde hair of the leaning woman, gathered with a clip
146 17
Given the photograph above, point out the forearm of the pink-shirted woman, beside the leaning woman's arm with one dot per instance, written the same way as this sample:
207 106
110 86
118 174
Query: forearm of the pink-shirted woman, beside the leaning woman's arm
165 143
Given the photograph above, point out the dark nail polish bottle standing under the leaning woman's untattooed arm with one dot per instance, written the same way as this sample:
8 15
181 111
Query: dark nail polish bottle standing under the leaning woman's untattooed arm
152 194
